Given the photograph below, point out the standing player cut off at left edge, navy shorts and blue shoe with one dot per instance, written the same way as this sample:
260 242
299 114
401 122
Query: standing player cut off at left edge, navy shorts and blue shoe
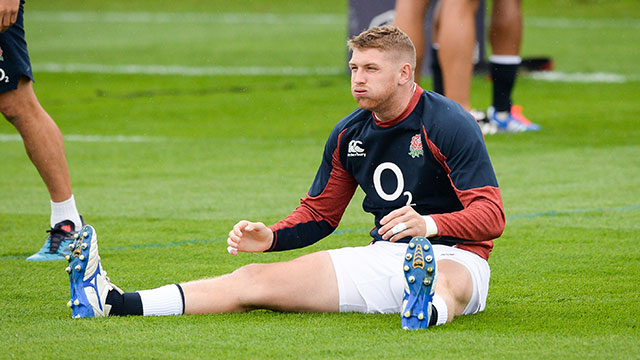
41 136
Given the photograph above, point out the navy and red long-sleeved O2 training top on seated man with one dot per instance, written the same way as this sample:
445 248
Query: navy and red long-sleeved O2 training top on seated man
431 157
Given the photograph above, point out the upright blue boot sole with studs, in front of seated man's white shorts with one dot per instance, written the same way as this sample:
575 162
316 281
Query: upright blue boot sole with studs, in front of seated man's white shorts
419 285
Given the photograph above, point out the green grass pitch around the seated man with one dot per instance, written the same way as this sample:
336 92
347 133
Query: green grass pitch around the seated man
564 274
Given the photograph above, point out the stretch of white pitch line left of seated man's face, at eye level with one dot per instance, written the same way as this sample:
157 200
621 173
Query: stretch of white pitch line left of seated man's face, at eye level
184 70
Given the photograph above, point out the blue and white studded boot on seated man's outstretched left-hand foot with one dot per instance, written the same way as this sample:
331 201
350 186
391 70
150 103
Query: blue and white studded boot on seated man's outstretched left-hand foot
88 280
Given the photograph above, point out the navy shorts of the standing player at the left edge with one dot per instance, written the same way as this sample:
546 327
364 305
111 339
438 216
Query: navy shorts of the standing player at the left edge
14 57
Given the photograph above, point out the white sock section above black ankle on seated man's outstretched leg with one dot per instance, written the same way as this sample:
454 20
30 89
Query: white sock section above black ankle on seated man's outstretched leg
165 300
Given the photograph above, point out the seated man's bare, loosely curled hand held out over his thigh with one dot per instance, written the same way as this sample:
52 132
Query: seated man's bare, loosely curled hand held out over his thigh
249 237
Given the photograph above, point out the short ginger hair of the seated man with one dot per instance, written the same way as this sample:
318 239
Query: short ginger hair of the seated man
385 38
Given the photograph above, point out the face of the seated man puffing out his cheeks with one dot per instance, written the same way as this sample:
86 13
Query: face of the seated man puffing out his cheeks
374 78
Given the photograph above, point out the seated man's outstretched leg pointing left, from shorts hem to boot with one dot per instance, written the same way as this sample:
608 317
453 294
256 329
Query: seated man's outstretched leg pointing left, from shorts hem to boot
307 283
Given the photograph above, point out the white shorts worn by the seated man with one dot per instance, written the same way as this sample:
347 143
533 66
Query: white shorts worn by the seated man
371 280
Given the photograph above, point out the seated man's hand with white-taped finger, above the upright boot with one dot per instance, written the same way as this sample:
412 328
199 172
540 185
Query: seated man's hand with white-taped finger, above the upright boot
401 223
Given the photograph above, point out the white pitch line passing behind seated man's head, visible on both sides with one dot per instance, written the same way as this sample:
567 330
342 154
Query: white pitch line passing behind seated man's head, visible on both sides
132 69
